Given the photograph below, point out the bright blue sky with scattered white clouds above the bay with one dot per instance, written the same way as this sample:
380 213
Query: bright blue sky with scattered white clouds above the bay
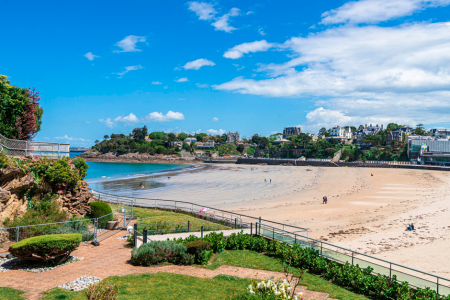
106 67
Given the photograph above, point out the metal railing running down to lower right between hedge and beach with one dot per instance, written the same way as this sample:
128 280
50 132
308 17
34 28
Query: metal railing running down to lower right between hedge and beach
415 278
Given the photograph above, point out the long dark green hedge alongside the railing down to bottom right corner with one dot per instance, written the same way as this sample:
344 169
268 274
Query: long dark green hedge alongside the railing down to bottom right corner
351 277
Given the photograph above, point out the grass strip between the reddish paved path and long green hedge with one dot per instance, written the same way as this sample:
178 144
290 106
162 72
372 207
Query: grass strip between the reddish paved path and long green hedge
250 259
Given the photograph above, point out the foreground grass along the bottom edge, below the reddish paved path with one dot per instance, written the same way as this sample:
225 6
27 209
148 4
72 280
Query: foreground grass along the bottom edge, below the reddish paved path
164 286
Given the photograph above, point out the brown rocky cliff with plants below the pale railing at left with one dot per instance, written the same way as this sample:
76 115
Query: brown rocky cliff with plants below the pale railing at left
17 181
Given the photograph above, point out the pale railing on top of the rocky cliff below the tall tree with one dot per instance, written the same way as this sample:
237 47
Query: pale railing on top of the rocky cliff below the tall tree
30 148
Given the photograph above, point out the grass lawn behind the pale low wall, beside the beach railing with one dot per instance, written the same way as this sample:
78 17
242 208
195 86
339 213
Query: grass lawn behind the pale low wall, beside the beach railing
152 216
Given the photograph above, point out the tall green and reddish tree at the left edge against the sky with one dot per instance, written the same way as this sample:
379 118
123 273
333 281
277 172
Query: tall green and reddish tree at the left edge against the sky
20 114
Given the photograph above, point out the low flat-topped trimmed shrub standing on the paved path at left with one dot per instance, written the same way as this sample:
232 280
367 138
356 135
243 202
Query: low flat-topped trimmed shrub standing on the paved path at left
54 248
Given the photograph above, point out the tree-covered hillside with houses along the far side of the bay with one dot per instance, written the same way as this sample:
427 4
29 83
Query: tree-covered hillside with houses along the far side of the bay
347 143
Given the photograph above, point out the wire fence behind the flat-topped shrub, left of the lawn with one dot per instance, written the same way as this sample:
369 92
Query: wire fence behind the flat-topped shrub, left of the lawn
93 229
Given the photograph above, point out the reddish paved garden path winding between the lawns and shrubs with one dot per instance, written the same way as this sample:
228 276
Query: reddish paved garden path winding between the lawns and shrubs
111 258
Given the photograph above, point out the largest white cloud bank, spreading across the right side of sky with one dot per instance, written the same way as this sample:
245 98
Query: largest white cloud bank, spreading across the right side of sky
381 74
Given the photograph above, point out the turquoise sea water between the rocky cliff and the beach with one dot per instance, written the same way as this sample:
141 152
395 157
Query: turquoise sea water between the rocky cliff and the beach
125 179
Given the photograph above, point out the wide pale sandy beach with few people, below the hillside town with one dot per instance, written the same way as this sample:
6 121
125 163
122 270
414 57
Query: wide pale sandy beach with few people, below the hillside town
364 212
